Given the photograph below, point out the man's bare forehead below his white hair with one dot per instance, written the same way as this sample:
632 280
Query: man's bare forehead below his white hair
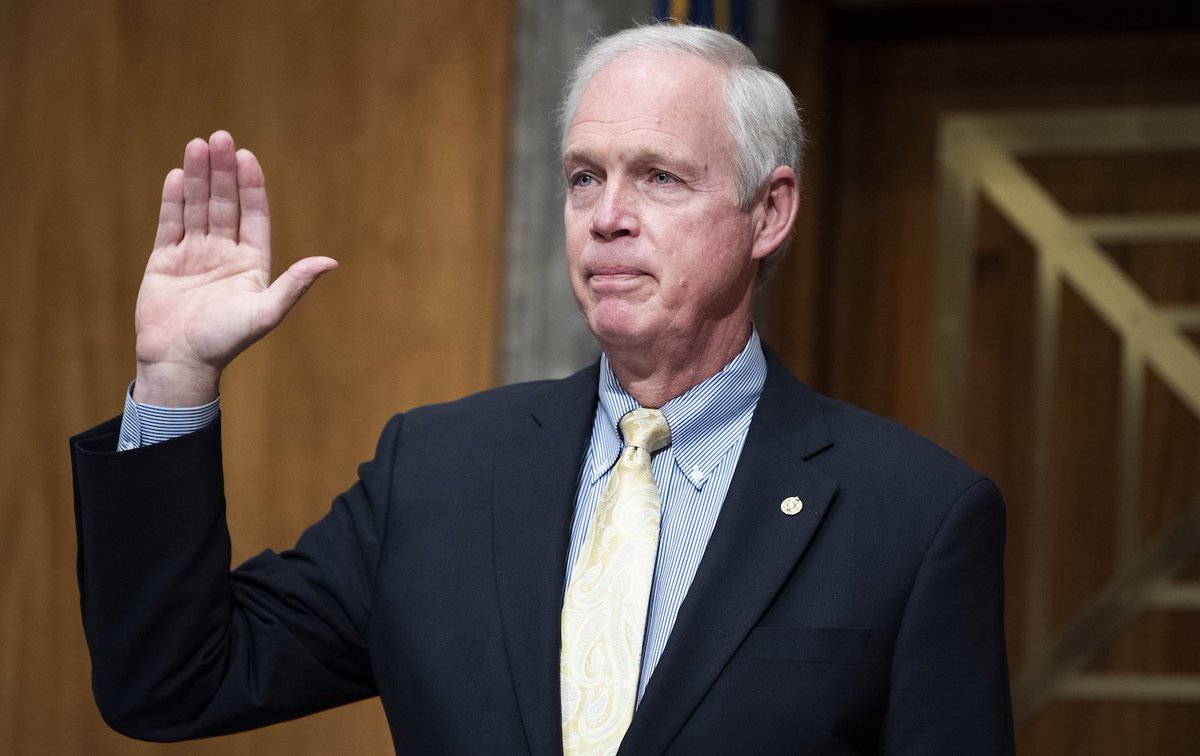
657 98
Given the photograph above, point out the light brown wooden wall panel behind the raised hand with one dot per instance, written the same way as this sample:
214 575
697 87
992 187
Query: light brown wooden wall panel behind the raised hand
381 125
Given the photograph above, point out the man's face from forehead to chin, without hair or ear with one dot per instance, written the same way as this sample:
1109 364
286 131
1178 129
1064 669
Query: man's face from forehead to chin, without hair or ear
661 256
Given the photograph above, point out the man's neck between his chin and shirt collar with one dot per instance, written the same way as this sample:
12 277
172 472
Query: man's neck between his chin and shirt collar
655 375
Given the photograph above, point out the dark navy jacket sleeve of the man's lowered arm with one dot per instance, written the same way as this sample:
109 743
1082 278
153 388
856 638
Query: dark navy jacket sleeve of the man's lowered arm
950 691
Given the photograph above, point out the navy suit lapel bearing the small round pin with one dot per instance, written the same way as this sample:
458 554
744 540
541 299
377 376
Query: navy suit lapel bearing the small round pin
753 550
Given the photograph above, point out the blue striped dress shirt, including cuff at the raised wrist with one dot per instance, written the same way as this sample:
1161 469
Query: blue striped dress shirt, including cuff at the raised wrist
709 428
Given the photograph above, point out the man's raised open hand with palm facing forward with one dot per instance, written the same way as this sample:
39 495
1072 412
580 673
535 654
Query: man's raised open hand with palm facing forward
207 293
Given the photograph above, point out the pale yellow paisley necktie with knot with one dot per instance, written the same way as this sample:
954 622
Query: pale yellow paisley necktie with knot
604 613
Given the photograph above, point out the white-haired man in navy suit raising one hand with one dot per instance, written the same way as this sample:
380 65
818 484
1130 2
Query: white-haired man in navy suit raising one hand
796 575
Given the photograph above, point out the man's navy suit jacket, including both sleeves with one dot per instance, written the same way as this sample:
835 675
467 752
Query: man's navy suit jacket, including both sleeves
869 622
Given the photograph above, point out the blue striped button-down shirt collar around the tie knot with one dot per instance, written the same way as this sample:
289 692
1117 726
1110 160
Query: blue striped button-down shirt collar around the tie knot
705 422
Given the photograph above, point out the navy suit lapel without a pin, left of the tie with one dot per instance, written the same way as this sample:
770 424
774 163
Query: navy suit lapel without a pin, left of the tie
535 488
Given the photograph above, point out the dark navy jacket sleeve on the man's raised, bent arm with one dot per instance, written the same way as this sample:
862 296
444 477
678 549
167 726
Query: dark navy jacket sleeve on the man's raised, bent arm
181 646
